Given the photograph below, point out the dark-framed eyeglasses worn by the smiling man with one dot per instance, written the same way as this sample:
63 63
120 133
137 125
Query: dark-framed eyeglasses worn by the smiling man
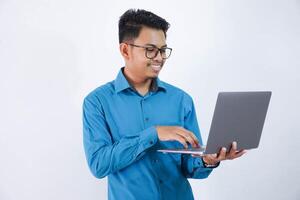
151 52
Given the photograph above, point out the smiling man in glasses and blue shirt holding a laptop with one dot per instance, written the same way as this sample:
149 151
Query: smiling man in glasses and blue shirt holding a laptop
126 120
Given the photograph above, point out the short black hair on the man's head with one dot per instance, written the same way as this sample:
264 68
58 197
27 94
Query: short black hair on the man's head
132 21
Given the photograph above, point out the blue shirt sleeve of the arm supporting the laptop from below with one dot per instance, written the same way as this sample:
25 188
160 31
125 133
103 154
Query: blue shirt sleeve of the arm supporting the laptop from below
192 167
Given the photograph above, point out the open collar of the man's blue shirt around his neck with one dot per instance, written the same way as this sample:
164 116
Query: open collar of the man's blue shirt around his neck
121 83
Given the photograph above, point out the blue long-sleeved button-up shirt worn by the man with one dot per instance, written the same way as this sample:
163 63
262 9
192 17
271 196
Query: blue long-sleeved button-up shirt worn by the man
120 140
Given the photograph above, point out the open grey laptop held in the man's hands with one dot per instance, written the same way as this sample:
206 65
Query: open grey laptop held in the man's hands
238 116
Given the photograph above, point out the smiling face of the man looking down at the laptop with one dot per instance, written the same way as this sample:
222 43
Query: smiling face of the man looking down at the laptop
138 63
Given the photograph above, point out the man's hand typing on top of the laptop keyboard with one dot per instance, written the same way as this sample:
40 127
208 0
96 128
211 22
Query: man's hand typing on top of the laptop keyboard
177 133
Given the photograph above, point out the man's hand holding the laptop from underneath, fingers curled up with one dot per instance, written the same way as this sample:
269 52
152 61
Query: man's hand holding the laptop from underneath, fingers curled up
213 159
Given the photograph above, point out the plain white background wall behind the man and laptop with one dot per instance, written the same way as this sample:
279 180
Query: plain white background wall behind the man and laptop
52 53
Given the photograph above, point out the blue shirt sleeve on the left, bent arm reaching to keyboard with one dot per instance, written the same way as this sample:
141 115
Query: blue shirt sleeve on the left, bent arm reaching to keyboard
103 155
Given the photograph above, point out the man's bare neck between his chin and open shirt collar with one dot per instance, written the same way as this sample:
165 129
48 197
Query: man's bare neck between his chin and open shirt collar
142 85
